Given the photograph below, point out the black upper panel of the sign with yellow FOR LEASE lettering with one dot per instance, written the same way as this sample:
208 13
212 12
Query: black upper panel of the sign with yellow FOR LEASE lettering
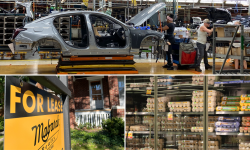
28 100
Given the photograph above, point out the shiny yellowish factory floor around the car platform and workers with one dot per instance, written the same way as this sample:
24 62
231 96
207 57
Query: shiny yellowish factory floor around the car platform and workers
34 65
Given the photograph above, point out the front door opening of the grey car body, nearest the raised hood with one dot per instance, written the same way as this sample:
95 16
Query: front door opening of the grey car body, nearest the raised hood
108 34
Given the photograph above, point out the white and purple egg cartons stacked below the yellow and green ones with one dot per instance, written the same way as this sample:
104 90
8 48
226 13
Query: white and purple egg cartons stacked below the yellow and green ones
227 124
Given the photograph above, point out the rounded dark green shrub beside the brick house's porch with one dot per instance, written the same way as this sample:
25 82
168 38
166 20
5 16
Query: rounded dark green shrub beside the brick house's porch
114 126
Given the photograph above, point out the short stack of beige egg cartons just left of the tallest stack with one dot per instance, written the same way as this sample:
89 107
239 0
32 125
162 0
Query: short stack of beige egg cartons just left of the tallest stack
179 106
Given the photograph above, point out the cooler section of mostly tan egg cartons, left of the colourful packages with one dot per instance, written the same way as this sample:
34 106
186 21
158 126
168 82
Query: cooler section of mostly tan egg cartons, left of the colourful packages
159 113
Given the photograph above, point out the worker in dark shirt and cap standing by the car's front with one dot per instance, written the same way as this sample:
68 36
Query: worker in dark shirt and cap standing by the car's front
169 37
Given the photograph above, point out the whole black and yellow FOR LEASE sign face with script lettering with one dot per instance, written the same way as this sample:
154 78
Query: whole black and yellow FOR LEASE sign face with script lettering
33 118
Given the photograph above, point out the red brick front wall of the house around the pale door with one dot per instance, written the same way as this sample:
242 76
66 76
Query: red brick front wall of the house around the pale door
81 99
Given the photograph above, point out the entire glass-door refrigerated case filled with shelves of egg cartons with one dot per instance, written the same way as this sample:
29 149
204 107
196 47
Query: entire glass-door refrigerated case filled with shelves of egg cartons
188 112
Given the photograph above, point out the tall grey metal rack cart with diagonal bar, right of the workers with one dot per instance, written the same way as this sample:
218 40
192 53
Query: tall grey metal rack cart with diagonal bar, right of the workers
242 39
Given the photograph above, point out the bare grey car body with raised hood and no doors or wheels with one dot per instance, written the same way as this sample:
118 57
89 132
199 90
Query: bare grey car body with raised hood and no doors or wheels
42 30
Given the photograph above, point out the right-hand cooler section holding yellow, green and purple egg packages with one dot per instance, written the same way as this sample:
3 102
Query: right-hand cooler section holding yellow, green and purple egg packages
232 114
